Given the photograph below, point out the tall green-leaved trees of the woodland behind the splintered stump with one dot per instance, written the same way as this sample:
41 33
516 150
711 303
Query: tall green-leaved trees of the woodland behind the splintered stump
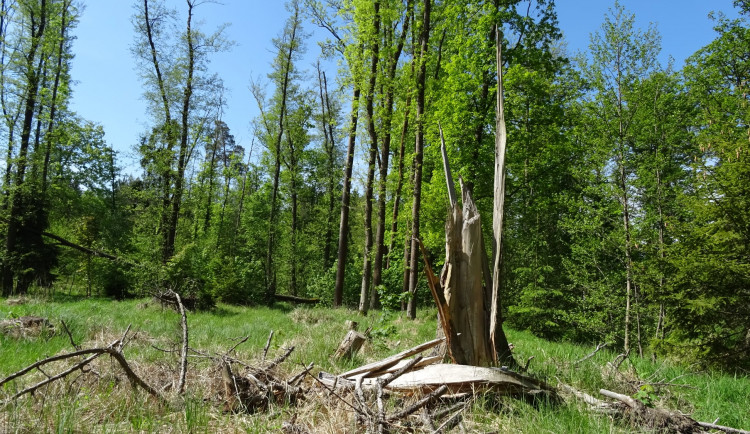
627 209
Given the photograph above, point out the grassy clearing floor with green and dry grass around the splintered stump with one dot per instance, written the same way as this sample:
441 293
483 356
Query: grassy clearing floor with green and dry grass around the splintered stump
103 401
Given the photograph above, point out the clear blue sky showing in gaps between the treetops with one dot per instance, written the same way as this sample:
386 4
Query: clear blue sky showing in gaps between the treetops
108 90
